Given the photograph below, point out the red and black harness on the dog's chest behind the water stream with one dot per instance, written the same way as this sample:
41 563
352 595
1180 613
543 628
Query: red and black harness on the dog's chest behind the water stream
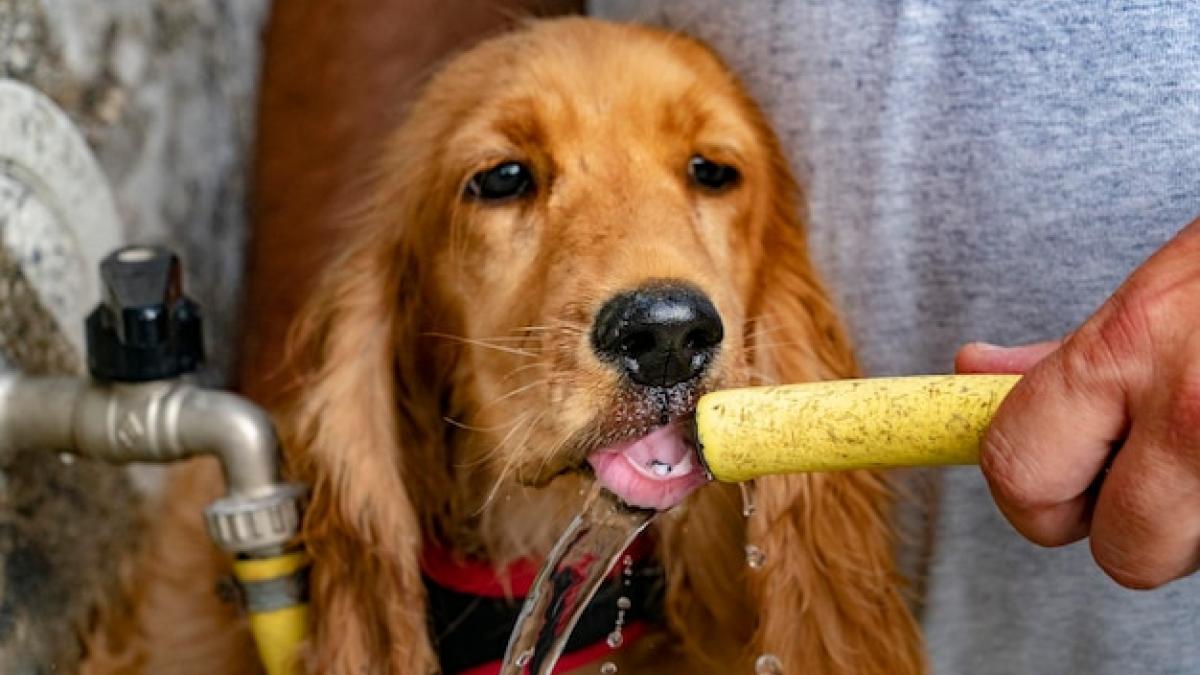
473 610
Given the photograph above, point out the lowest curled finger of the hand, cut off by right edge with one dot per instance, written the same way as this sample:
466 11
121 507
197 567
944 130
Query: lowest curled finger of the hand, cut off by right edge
1147 524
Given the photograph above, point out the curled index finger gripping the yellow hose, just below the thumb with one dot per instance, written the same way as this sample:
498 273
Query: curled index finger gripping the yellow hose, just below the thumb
1049 441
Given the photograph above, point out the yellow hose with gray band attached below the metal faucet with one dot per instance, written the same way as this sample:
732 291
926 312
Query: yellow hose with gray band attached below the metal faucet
279 614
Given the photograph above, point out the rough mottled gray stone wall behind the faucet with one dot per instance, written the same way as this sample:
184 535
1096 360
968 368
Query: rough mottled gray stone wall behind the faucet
164 92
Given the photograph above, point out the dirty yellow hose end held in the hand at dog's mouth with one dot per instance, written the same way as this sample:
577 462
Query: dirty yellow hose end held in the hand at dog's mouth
886 422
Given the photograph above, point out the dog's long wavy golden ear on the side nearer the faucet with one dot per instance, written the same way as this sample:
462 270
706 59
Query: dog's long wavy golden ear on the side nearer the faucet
359 435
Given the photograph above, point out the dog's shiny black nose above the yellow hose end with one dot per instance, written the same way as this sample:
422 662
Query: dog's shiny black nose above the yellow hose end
659 336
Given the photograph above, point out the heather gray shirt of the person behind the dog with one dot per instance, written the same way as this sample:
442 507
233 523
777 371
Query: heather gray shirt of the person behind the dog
985 170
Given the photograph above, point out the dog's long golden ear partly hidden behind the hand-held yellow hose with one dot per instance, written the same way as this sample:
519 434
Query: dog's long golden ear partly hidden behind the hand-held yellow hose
830 594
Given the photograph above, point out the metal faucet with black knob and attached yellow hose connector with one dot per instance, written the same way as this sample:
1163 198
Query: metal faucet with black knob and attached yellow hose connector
143 337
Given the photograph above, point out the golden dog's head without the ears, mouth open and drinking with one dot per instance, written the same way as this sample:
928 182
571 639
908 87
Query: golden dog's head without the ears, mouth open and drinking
593 214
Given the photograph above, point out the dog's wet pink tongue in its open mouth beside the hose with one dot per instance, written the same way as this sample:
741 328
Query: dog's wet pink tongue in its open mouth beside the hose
656 471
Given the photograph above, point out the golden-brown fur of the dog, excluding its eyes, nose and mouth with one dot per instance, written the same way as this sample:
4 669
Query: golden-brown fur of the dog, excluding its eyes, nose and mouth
449 381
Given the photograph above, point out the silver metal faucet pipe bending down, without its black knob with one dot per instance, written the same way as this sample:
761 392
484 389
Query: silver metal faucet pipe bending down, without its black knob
164 422
